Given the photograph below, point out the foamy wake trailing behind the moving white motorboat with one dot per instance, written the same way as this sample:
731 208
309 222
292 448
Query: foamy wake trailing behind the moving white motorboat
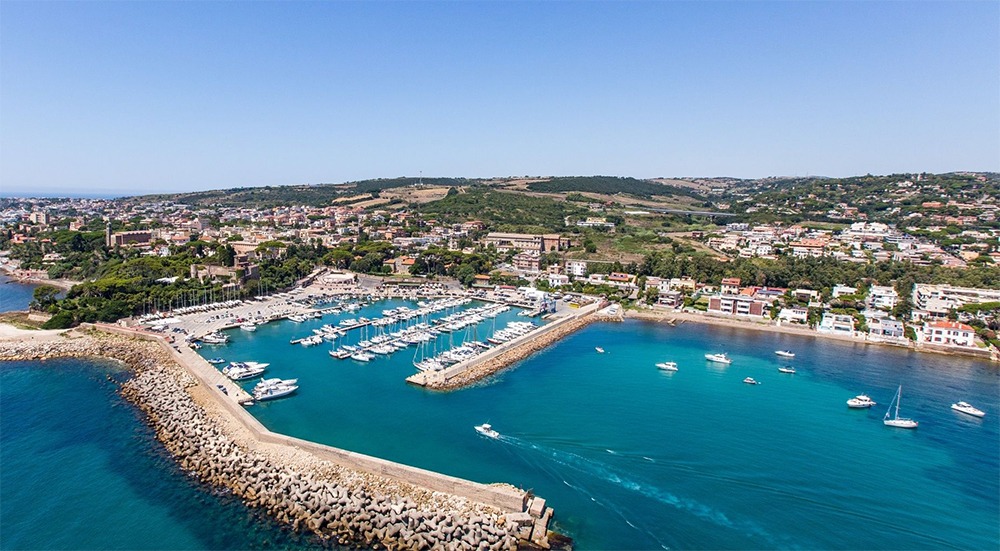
597 470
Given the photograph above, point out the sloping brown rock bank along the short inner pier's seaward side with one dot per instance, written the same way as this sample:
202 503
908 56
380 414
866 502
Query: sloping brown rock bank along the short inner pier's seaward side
480 369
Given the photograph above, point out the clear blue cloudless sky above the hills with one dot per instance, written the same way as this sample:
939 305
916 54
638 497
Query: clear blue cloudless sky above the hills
176 96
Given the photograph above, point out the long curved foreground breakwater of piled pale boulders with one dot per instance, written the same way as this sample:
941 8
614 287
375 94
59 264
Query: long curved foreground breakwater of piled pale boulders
291 482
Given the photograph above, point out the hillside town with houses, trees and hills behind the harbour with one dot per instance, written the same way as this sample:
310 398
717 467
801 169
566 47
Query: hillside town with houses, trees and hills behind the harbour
907 259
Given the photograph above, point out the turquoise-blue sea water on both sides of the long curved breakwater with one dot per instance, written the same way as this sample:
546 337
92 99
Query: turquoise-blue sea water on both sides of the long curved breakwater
630 457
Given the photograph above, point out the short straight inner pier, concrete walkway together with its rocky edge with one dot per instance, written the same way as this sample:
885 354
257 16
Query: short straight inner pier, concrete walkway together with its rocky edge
503 356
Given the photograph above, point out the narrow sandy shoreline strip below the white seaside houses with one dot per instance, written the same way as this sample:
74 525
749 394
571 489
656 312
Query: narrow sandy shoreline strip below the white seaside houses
803 331
